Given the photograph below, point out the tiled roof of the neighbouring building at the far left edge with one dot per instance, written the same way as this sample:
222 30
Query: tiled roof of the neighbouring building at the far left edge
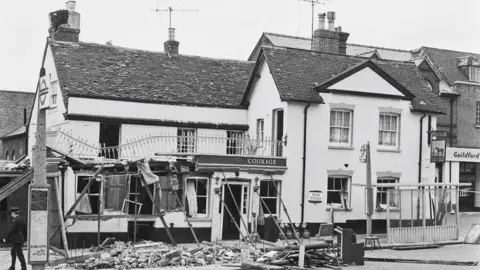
12 104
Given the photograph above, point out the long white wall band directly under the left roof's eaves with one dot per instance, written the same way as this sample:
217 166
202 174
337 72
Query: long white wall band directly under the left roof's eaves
138 110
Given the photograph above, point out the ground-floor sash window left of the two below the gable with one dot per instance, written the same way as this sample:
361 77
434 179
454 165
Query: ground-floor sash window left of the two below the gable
338 191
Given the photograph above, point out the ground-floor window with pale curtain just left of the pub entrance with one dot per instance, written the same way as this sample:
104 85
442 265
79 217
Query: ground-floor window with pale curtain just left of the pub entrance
197 196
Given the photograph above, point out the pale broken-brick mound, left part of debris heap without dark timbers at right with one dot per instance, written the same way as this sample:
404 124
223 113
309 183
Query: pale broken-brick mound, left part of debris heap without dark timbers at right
121 255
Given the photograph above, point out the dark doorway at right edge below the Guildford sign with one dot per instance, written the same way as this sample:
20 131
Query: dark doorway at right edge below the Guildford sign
467 175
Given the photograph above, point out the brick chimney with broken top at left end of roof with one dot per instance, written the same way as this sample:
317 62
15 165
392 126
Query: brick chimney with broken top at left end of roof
65 23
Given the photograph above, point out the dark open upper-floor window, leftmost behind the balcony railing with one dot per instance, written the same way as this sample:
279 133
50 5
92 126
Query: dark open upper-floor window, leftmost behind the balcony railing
109 137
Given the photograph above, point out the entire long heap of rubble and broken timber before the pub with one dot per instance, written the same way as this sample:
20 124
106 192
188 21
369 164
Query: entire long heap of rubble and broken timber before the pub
120 255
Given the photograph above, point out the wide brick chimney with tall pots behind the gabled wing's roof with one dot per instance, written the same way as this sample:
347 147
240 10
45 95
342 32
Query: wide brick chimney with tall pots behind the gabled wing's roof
331 40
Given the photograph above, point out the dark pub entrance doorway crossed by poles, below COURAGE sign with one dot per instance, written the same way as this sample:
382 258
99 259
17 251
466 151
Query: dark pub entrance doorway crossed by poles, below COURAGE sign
230 231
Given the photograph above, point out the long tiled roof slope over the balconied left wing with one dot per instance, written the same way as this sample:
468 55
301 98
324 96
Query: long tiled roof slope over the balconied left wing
110 72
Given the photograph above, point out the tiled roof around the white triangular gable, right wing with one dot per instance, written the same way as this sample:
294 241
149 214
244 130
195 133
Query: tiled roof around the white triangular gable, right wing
296 72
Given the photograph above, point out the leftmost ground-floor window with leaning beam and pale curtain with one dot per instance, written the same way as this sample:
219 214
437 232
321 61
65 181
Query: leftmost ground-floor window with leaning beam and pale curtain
89 202
